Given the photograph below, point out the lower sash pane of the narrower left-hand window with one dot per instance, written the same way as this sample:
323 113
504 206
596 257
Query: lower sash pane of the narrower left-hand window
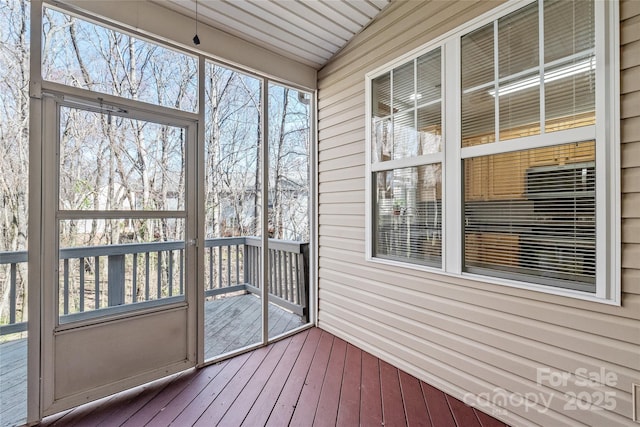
408 215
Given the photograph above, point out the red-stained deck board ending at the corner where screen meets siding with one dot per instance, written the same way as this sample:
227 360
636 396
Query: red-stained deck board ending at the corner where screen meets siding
286 402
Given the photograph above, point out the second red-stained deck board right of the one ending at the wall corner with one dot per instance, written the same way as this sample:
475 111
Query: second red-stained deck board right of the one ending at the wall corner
327 411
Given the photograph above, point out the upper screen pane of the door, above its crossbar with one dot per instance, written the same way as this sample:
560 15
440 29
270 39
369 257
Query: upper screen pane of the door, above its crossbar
116 163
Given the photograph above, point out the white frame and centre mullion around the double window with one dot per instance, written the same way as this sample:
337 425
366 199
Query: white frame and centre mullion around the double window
606 132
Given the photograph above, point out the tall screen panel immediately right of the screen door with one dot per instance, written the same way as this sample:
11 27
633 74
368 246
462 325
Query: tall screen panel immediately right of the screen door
233 209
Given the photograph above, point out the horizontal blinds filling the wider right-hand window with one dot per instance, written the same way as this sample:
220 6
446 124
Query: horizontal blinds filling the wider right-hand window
529 215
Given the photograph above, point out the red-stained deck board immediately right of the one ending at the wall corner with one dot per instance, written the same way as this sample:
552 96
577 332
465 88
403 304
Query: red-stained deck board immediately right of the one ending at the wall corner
305 410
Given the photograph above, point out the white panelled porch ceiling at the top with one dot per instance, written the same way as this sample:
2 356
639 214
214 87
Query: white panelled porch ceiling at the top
309 31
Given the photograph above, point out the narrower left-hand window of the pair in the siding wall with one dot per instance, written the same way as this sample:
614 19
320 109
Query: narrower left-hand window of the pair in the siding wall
407 157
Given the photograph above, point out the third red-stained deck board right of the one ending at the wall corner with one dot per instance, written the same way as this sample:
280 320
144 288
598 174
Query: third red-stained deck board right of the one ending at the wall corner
349 404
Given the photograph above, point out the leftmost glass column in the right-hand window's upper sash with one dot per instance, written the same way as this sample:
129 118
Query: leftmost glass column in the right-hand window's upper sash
478 81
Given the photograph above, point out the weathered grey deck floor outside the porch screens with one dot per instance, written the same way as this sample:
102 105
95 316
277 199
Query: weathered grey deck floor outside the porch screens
231 323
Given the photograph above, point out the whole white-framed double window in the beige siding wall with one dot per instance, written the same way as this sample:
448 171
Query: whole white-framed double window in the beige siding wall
528 146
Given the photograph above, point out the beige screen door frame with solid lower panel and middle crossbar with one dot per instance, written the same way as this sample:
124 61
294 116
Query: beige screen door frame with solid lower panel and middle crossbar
155 341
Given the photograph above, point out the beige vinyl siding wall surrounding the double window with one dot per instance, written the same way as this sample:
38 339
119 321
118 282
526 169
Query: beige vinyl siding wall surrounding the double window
460 335
